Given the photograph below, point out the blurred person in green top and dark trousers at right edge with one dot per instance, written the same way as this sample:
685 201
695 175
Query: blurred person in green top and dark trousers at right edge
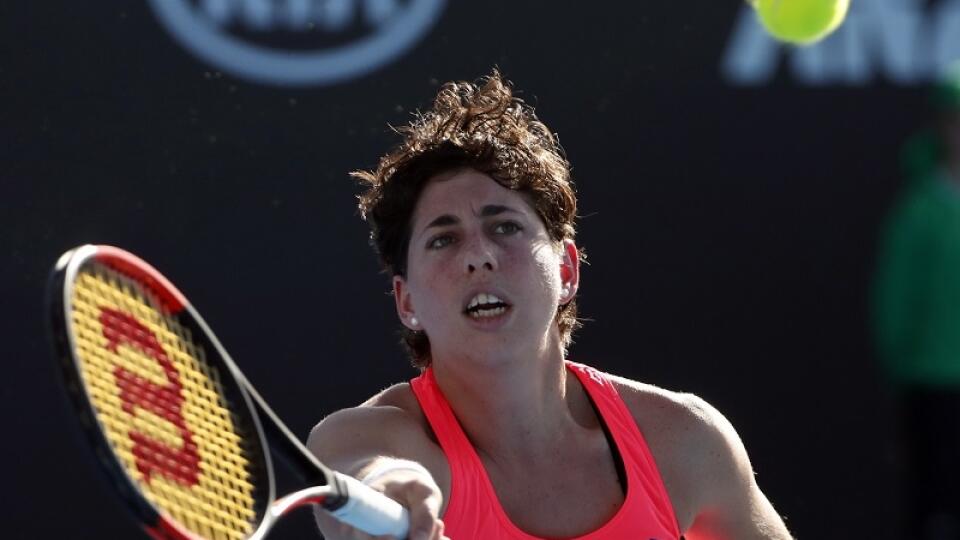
917 318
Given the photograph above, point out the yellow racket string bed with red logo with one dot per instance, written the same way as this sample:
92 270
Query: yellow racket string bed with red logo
163 408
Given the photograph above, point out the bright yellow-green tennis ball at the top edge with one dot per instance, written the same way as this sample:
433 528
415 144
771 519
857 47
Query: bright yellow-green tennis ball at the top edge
800 22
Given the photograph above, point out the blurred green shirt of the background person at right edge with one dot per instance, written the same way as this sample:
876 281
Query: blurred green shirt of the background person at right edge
917 289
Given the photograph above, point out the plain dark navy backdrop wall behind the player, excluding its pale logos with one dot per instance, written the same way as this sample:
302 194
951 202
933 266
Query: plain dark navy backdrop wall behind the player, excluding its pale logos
731 230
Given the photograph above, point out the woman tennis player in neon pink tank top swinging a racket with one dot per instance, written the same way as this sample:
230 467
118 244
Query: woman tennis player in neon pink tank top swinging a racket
501 437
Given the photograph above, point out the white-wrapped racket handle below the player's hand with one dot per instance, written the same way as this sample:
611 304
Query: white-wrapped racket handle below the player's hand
370 510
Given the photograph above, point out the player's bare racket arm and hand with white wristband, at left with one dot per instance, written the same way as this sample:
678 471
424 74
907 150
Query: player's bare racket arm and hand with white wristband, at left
383 440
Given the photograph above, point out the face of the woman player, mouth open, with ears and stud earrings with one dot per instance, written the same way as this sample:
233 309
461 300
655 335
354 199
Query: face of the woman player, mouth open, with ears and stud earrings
483 276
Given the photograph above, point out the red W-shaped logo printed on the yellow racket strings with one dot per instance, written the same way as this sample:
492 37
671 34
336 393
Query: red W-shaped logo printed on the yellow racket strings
181 465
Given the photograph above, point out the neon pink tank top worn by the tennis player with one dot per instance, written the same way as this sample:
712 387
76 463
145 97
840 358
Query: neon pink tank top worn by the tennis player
473 510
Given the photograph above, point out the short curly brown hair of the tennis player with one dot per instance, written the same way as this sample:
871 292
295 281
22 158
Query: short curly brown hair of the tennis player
470 125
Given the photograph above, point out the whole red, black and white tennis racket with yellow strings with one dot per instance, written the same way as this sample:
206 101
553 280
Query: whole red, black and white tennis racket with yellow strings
175 424
